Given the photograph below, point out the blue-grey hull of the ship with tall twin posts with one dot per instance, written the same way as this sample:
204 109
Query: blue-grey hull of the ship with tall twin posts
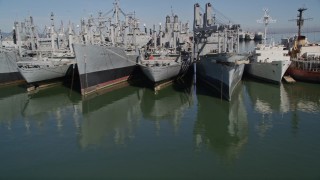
222 76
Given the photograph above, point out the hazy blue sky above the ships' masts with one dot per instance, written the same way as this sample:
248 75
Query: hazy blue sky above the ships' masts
243 12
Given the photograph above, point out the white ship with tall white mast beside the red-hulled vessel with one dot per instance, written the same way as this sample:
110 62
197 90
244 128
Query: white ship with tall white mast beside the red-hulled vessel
268 62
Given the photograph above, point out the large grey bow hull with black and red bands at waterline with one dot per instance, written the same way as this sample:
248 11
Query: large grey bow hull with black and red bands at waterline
101 66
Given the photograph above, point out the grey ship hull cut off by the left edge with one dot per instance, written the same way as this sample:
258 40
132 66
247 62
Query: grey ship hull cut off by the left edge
8 68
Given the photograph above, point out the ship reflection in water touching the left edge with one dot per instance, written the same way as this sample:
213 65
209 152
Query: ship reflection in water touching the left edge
12 100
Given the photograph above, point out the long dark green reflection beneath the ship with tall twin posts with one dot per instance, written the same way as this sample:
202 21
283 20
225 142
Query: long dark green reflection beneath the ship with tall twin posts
221 125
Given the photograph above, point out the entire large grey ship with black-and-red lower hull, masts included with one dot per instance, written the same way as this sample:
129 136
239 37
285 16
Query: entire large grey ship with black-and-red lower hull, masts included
108 55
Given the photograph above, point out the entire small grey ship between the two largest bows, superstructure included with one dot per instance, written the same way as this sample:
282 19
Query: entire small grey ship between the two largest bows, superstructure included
169 54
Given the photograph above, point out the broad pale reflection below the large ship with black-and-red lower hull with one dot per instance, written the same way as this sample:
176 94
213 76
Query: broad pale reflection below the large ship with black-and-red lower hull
110 117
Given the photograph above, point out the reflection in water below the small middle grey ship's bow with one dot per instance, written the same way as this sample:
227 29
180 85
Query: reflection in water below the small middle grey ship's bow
169 104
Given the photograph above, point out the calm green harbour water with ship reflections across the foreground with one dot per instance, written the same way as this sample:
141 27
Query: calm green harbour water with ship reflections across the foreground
266 132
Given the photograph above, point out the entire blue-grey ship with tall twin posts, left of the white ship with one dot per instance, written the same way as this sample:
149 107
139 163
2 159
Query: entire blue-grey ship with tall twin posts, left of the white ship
219 63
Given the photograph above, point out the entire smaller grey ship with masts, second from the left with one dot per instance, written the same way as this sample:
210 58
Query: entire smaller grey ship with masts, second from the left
45 58
